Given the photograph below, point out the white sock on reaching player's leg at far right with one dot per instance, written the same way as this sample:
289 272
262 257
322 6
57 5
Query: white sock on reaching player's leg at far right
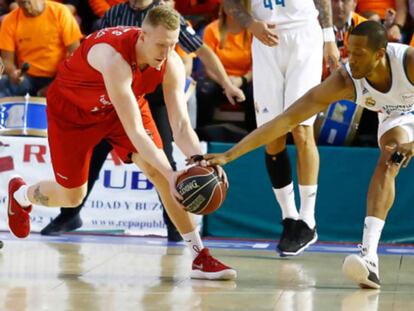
371 236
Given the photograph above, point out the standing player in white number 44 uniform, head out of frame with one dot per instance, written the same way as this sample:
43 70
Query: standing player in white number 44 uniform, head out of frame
287 53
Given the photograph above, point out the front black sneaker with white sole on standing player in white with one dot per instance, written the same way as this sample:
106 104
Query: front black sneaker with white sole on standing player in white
302 238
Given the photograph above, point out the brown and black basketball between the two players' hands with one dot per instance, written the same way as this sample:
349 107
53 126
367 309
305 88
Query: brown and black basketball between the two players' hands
203 191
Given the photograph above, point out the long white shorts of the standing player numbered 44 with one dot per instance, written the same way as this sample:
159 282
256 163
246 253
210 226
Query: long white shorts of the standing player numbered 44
284 73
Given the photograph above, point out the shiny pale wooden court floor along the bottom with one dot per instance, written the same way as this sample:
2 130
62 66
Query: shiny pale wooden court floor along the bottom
89 273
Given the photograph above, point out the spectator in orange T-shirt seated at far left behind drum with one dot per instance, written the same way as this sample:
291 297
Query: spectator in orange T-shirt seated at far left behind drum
40 33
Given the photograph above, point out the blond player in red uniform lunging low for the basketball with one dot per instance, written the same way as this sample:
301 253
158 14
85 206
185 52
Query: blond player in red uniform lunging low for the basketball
99 94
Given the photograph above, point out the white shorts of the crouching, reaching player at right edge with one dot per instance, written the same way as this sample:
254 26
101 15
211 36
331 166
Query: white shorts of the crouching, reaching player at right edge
387 123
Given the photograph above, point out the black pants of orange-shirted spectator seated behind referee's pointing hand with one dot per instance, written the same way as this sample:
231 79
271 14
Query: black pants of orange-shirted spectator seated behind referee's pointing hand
210 94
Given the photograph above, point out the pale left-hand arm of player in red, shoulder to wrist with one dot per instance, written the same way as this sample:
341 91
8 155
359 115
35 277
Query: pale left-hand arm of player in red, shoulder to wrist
117 76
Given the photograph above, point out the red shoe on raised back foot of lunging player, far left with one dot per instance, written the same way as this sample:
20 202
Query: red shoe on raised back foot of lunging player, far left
18 216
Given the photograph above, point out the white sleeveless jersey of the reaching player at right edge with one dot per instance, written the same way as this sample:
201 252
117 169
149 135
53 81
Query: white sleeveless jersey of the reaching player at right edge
399 100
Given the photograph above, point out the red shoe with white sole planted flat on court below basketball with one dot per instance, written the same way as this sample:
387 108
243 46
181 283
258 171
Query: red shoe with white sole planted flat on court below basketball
207 267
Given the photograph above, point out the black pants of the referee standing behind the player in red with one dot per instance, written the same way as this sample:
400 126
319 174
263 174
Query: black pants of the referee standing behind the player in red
101 151
